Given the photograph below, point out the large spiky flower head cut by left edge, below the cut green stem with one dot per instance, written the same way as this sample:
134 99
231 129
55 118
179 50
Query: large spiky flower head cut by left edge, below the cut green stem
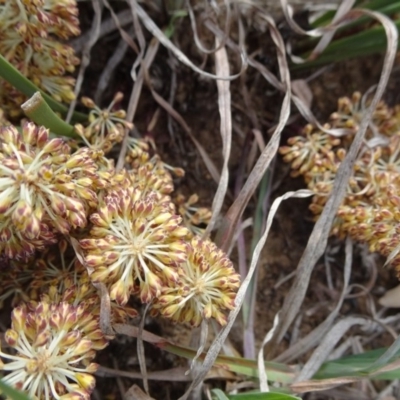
44 190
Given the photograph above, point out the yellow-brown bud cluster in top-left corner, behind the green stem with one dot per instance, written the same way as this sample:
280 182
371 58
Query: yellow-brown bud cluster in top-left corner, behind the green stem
31 35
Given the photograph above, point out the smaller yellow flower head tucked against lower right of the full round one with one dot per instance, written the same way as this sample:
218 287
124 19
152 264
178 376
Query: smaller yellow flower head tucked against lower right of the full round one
206 287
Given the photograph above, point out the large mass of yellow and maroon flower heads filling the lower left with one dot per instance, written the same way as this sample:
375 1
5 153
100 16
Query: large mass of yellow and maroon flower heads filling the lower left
133 242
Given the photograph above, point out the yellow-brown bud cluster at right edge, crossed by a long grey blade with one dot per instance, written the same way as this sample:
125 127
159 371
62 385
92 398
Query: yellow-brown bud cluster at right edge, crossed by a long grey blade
369 212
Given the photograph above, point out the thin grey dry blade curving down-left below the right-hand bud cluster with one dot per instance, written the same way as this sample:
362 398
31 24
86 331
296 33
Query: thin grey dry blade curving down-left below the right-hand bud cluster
315 336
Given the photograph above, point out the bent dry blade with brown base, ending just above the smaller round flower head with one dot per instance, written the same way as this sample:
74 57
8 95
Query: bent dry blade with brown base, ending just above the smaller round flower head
232 217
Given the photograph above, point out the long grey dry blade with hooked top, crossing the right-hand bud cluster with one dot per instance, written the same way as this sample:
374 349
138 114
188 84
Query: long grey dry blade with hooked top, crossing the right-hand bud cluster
319 236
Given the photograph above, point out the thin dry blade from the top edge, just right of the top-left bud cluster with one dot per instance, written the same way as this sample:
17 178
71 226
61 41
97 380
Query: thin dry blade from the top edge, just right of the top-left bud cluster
94 36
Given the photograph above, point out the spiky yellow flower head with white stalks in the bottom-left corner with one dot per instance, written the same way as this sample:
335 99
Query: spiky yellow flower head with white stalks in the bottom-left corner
52 357
